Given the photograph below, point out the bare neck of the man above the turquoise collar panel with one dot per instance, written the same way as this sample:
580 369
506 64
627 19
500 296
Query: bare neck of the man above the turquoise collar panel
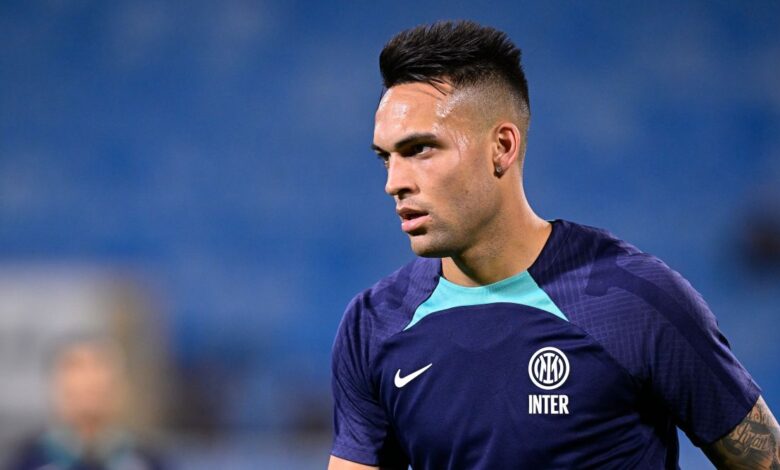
510 253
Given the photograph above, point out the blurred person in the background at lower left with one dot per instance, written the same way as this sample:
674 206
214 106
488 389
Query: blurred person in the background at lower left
89 386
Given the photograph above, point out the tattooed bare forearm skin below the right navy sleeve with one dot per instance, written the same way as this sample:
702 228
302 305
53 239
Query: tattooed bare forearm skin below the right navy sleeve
754 444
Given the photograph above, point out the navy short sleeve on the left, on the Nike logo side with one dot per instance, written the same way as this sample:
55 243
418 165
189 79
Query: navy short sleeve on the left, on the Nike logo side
362 432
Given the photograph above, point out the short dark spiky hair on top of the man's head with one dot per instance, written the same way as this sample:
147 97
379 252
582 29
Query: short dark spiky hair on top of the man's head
462 53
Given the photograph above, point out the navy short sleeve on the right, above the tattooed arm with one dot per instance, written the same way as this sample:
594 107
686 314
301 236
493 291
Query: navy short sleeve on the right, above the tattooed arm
693 369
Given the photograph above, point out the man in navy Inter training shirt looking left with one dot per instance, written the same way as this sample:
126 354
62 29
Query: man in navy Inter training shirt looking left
513 342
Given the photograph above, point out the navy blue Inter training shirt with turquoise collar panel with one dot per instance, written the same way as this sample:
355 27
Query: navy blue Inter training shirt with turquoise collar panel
589 359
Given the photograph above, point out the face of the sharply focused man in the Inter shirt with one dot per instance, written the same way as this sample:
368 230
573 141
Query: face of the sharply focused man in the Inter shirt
439 167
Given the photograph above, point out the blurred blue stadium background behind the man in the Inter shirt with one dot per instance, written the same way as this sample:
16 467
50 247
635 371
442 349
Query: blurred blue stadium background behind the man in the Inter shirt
194 181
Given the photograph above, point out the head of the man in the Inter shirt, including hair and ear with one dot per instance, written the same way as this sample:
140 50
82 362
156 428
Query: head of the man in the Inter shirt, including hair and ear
451 129
